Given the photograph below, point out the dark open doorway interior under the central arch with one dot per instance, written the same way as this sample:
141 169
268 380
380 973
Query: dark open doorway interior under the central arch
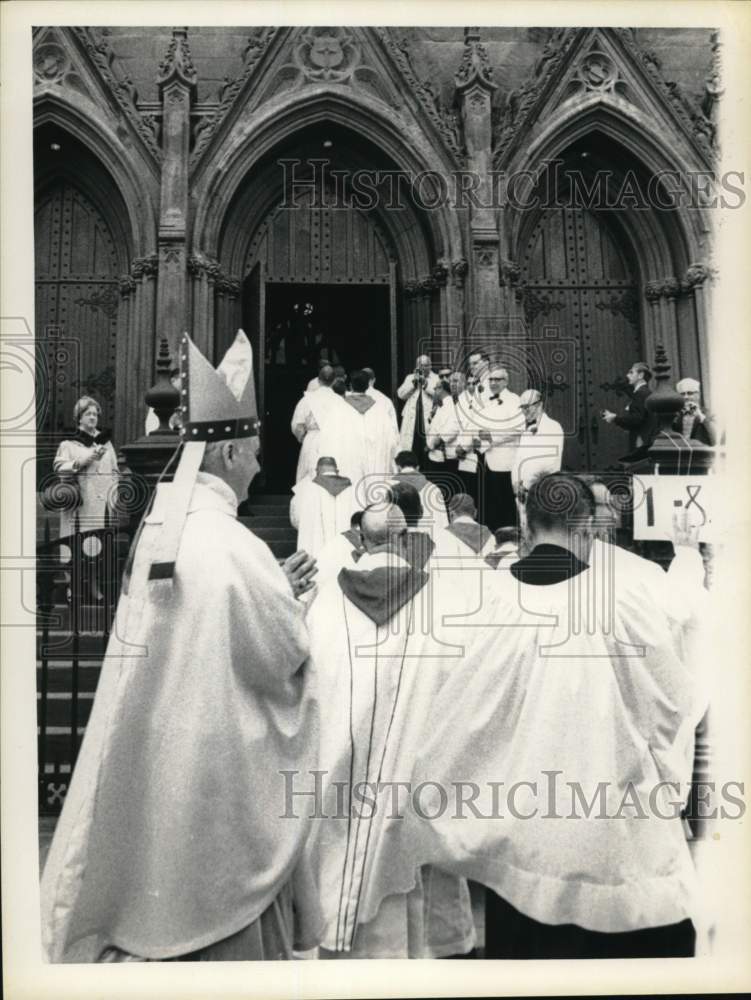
346 324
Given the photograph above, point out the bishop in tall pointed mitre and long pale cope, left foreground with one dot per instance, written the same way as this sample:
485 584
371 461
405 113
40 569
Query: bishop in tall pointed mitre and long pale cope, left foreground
171 842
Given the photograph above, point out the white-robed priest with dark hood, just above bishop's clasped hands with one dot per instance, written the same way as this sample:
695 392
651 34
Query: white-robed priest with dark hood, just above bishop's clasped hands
321 506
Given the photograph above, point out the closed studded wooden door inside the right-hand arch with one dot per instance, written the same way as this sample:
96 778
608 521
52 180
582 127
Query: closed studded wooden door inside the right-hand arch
581 305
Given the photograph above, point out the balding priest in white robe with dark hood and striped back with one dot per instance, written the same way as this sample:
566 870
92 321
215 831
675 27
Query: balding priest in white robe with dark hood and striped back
382 655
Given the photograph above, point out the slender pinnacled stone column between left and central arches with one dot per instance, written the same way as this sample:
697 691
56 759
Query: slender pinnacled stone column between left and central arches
177 89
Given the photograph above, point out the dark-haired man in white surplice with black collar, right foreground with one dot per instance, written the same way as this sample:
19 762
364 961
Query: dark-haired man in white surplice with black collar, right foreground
582 710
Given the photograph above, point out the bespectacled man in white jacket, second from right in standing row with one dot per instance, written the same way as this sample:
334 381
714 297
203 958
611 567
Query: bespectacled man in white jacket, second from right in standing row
501 423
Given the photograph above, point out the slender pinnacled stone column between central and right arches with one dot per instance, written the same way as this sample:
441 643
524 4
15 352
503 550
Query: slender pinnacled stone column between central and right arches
474 90
